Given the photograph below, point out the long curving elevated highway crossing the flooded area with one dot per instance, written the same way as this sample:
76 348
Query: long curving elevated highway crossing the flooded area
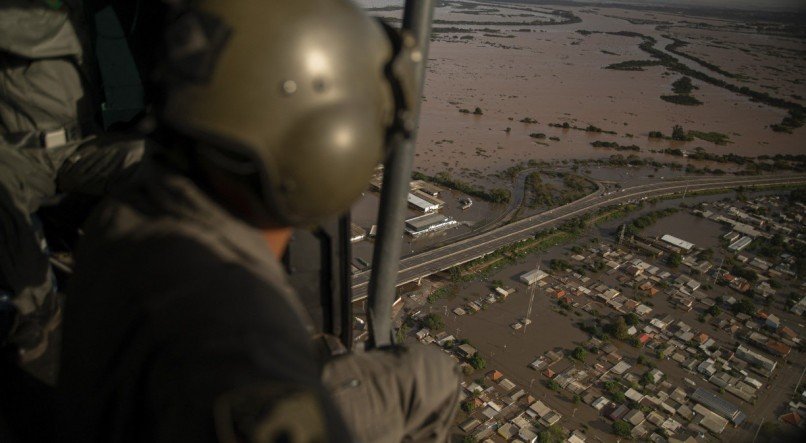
464 250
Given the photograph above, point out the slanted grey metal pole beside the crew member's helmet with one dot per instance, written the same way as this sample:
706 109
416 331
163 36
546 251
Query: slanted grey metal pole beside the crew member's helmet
396 177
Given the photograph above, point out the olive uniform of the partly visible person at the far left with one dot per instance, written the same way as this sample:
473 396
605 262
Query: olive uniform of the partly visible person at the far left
47 146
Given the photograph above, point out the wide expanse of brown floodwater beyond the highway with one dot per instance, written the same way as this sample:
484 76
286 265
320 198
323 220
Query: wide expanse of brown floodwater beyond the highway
554 74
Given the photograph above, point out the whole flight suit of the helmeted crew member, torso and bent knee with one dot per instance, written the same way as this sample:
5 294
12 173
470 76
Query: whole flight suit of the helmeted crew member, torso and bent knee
180 325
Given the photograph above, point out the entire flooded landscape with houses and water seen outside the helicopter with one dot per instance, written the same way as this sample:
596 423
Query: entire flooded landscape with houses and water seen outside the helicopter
533 109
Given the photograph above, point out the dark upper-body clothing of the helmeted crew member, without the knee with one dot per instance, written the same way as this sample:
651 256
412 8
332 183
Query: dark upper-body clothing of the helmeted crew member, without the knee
174 307
